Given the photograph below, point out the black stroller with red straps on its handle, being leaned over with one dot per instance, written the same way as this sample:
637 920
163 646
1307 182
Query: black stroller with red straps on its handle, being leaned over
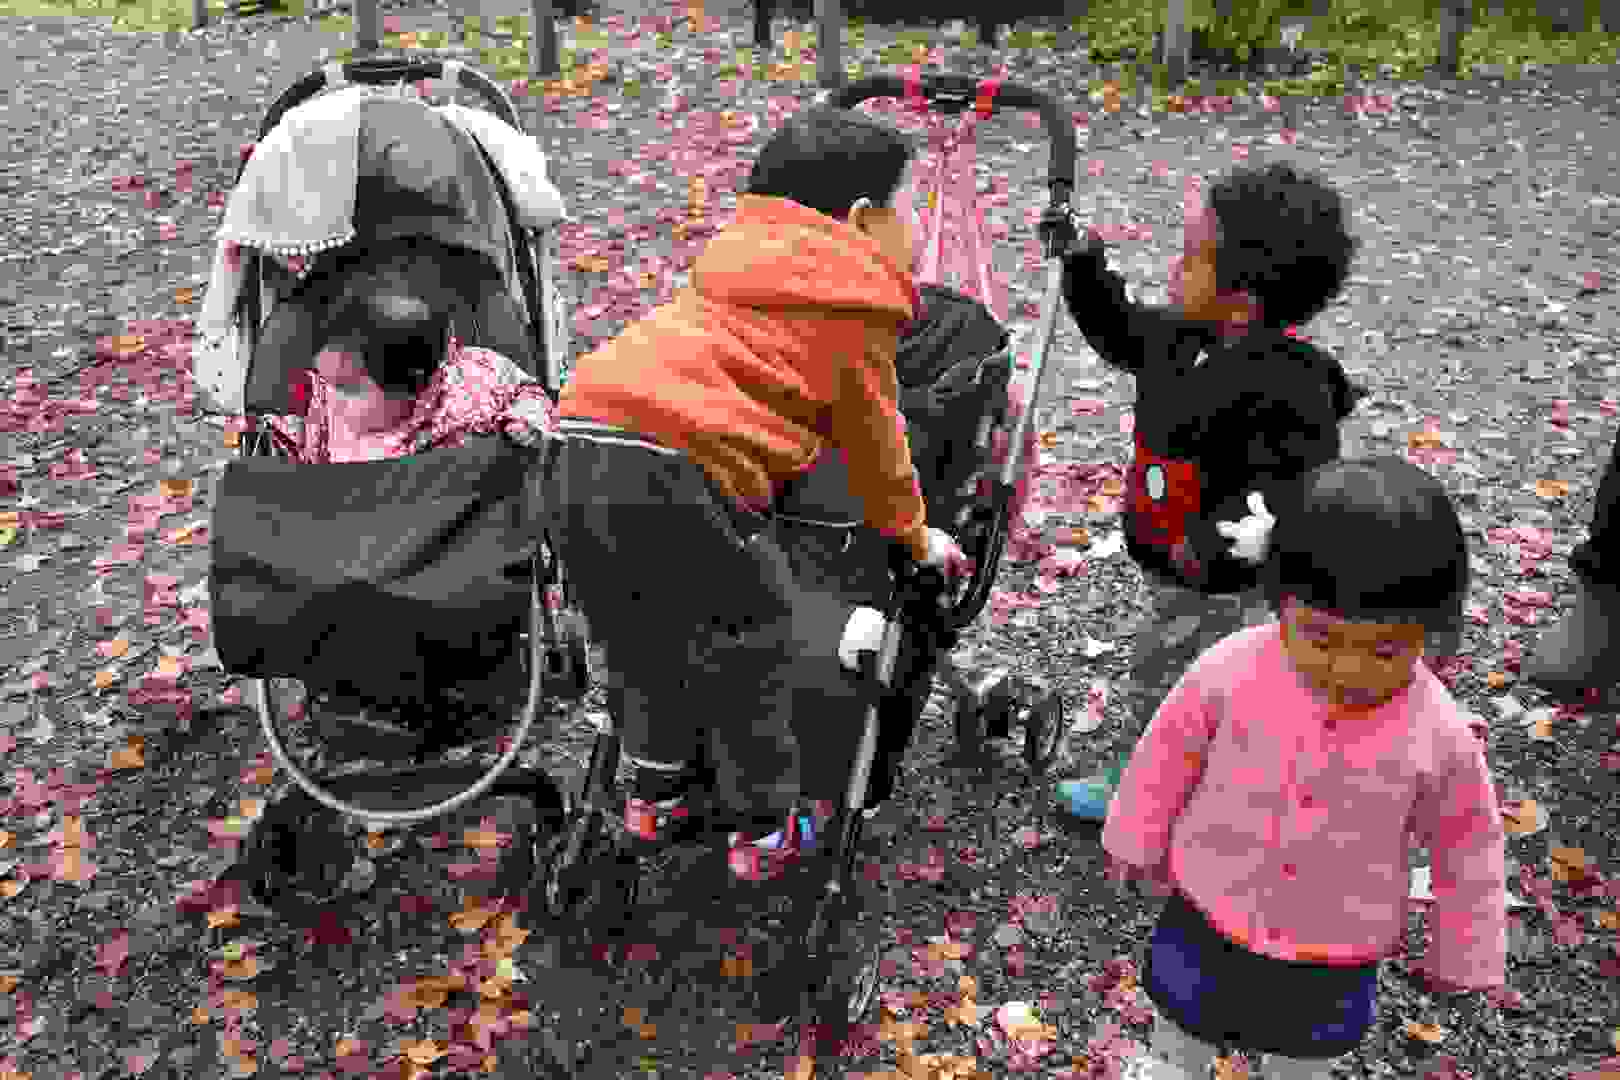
955 372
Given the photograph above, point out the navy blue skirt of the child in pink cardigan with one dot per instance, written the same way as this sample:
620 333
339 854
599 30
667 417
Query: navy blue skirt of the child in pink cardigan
1230 997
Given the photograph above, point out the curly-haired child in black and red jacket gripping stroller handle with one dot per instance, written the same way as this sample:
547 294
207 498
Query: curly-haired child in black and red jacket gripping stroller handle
1229 404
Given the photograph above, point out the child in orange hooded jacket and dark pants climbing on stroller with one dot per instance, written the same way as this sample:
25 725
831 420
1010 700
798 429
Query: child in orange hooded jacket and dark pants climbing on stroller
680 435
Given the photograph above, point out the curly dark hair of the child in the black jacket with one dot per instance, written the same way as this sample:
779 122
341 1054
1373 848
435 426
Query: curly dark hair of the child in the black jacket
1282 239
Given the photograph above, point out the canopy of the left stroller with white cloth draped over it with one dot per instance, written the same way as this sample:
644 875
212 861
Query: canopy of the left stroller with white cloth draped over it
416 174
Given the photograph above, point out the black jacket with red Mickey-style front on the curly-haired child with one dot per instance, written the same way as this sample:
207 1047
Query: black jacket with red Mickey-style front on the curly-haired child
1214 422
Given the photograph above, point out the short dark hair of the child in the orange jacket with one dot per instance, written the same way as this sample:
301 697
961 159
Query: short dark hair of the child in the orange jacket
829 158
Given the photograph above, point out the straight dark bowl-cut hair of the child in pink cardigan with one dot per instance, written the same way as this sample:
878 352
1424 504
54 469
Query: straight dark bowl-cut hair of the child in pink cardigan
1375 540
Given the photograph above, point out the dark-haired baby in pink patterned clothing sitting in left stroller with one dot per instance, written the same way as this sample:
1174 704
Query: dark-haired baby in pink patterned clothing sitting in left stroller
393 378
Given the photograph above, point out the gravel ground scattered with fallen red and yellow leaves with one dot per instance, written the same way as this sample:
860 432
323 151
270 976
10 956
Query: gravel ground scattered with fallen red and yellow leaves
1481 315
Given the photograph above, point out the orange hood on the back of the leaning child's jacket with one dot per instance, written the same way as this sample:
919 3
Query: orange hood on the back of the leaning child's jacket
778 253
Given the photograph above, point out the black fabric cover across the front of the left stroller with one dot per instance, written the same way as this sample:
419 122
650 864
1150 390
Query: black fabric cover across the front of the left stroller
385 580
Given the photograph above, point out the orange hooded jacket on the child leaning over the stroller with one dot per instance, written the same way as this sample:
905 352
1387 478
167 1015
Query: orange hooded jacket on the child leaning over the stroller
783 344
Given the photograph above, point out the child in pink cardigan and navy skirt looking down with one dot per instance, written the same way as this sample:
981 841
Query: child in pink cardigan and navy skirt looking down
1282 781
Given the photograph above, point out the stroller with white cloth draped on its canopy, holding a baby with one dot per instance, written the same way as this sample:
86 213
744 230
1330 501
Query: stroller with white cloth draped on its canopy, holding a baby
414 582
